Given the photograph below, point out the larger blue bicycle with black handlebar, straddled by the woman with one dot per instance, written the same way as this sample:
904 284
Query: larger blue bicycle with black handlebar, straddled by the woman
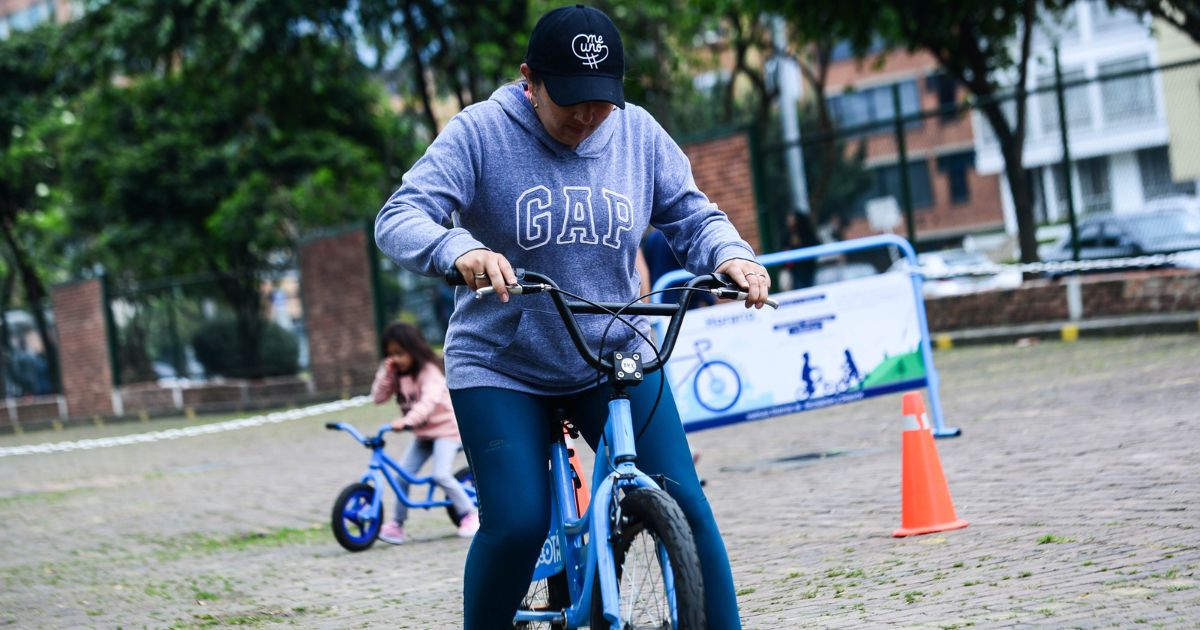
629 561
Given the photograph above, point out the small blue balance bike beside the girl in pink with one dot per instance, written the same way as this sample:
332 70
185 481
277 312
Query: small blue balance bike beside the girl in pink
358 513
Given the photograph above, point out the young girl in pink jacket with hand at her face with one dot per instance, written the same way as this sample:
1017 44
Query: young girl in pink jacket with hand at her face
410 373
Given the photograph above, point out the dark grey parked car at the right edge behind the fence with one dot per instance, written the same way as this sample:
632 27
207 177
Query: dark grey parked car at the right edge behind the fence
1123 236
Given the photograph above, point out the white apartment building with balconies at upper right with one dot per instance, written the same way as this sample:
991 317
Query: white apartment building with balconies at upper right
1120 135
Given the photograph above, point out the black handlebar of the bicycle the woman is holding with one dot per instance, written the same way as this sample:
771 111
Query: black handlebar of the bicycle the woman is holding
532 283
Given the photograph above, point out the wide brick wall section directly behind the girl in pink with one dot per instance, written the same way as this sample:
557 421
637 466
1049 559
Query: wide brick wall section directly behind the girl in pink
339 309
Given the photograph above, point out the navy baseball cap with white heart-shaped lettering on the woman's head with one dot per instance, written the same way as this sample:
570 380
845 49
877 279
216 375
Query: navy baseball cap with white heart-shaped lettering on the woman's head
577 52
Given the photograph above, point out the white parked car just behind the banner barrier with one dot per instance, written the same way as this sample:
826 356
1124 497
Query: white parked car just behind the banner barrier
959 272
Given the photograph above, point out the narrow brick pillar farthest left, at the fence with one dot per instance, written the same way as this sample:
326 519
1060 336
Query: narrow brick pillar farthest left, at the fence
83 341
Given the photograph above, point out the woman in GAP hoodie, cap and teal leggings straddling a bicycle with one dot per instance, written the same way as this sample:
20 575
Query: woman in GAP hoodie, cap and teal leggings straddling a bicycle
557 173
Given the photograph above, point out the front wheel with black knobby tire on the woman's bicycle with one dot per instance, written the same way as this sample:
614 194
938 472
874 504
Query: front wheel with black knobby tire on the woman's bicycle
651 518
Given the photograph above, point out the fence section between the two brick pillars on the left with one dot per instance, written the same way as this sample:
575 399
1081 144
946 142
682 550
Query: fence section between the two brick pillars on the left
185 329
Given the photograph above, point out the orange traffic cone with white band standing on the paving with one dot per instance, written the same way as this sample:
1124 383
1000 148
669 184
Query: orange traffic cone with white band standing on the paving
926 505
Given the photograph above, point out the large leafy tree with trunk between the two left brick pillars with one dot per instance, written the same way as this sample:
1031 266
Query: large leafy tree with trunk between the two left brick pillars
226 130
